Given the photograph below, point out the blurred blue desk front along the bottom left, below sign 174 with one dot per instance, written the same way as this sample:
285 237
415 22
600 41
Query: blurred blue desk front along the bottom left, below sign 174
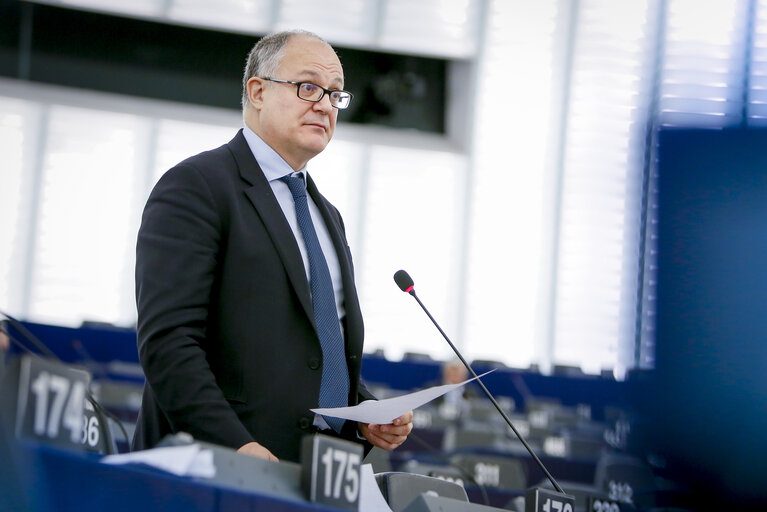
55 480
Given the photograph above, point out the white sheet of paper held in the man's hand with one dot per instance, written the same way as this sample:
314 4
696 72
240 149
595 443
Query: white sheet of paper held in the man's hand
382 412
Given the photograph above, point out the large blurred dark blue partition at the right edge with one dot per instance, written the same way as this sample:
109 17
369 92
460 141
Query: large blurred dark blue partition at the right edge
708 402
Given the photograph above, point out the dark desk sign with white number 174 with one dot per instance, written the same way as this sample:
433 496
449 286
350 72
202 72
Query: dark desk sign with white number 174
51 401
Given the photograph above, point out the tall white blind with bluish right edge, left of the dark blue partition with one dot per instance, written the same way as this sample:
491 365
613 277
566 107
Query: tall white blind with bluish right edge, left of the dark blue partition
598 256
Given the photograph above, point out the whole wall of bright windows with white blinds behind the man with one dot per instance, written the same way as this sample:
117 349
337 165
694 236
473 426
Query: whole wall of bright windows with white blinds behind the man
530 239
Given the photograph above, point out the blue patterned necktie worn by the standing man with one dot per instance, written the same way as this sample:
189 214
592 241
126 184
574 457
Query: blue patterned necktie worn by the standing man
334 388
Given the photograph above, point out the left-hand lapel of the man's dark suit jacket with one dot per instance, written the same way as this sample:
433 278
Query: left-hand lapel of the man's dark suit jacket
261 196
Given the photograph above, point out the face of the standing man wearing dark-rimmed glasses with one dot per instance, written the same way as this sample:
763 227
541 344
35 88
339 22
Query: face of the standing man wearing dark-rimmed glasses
297 129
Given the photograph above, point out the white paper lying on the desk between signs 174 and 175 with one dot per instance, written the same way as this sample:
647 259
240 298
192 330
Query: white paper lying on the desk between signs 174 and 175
188 460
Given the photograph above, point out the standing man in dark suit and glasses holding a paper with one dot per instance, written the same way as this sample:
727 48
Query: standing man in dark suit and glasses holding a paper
228 329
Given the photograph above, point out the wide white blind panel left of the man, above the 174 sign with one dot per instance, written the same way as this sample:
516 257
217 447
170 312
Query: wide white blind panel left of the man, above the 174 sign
86 208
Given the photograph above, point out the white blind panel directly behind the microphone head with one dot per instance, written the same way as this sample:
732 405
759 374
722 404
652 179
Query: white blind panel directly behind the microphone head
412 208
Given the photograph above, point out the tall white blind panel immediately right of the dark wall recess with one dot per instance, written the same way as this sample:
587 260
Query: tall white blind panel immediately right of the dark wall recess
508 215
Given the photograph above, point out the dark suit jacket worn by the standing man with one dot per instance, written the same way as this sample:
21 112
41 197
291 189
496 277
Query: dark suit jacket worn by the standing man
225 324
